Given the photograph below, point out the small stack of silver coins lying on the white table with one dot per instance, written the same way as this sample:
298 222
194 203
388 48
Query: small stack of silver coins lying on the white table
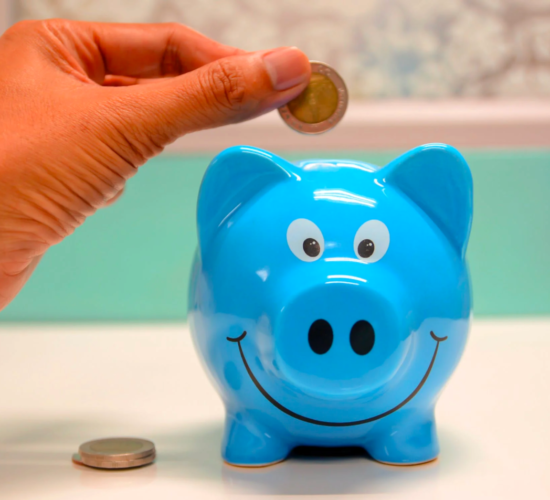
117 451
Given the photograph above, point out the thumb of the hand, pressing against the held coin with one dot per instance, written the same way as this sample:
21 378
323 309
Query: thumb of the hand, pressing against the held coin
228 90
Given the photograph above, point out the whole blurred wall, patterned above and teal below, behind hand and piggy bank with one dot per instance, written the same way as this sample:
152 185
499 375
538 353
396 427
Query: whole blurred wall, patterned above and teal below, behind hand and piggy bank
474 73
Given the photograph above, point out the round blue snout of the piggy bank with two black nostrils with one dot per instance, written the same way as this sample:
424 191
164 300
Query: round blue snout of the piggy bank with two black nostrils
339 339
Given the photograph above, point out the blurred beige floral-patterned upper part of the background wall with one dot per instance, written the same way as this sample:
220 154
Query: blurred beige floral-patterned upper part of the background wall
383 48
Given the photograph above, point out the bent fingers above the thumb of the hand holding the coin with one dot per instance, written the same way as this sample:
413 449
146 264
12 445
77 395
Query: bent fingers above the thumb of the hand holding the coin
132 50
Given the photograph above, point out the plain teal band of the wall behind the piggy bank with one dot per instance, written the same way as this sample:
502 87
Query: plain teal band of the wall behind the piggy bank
131 261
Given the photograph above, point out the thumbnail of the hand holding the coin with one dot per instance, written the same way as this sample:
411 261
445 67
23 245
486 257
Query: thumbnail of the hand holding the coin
286 67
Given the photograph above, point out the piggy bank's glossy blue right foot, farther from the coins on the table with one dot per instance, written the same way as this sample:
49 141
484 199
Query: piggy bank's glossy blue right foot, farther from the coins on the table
409 440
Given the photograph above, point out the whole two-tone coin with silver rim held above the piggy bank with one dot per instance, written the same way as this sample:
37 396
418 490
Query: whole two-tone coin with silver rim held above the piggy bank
321 105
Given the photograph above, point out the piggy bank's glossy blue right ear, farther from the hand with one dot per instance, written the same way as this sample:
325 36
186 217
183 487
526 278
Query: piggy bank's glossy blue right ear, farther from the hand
437 178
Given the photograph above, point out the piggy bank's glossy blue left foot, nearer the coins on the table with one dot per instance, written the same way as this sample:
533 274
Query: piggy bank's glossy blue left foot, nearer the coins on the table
247 443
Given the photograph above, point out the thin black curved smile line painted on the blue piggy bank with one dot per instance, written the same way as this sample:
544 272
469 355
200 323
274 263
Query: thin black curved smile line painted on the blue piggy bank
279 406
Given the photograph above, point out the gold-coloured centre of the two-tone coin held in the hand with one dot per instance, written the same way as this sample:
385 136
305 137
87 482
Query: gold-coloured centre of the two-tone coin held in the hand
317 102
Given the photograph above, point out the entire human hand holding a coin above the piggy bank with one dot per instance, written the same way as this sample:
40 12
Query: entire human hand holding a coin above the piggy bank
85 104
